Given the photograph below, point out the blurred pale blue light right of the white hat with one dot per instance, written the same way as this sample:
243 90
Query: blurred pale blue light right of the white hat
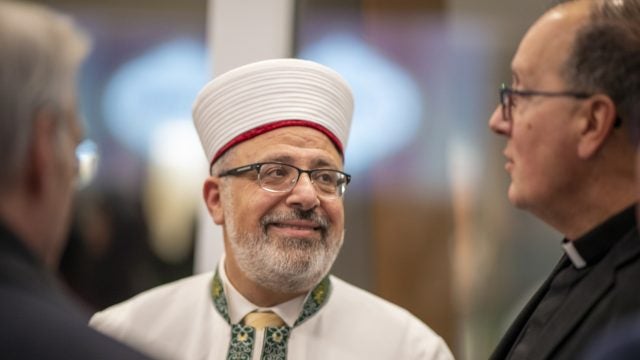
388 103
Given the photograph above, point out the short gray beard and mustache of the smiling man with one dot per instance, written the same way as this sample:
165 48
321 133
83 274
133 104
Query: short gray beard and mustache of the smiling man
284 265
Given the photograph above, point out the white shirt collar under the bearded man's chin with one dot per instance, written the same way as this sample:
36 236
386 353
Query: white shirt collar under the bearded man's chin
239 306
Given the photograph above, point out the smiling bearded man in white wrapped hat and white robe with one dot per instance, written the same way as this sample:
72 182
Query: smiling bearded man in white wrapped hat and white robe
275 133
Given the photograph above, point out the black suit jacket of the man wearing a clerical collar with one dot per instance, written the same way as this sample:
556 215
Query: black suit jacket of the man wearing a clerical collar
608 294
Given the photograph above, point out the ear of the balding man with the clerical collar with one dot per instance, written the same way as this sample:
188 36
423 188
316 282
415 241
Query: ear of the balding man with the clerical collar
599 120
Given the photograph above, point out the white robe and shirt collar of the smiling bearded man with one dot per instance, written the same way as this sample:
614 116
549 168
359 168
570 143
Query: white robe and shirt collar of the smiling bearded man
178 321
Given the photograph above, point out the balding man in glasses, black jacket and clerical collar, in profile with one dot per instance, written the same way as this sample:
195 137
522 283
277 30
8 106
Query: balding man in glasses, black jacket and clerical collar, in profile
567 120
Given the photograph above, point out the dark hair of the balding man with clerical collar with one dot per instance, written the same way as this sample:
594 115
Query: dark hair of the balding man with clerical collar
606 56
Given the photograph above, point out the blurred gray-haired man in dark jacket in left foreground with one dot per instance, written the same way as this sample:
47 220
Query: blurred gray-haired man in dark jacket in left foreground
41 51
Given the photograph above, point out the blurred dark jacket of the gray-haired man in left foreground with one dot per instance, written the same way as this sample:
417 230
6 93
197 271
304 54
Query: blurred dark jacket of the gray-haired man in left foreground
37 318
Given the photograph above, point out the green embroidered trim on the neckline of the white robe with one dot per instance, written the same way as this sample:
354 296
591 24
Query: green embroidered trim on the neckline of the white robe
275 338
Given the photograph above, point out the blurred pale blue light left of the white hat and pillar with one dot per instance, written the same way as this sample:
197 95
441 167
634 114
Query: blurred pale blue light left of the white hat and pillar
154 88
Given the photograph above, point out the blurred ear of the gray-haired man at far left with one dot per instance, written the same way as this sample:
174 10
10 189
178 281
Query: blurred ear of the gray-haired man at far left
41 153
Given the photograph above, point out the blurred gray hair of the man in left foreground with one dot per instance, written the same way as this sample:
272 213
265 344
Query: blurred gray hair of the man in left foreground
42 51
